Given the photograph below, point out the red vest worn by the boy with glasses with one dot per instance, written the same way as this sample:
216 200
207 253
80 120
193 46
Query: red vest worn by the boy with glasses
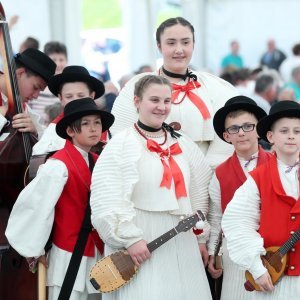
231 175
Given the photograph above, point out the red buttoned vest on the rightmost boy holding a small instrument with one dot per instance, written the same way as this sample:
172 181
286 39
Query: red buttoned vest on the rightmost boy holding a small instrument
280 214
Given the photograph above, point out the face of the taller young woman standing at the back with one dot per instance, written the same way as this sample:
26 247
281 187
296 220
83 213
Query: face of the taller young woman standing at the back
176 46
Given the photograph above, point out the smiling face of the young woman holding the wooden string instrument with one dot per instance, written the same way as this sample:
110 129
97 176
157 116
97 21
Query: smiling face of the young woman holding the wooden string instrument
155 105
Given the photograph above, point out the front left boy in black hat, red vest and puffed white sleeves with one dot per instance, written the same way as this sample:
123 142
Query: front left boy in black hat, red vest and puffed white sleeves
57 198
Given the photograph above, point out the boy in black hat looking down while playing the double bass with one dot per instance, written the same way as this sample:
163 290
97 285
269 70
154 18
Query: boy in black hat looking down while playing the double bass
33 71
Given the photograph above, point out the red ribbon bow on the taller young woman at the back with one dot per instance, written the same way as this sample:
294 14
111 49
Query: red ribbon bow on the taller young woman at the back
187 89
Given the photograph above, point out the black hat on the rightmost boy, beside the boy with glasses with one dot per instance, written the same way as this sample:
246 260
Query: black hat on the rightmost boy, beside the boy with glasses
281 109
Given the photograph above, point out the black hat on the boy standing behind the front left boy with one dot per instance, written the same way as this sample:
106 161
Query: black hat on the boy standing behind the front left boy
74 74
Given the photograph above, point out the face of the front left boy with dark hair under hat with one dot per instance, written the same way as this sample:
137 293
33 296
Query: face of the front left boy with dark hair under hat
91 130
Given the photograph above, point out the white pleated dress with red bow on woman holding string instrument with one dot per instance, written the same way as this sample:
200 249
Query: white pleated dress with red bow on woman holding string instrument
129 205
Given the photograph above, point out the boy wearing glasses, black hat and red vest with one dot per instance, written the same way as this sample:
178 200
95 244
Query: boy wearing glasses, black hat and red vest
234 123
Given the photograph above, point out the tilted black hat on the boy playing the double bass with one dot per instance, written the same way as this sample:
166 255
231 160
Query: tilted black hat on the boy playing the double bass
37 62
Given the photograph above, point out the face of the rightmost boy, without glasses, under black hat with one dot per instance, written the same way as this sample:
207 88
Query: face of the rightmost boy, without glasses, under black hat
285 136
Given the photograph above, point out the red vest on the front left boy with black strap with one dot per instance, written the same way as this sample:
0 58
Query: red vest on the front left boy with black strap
71 206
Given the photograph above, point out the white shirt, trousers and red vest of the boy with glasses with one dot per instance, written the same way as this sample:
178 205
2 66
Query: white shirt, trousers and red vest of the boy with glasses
229 176
